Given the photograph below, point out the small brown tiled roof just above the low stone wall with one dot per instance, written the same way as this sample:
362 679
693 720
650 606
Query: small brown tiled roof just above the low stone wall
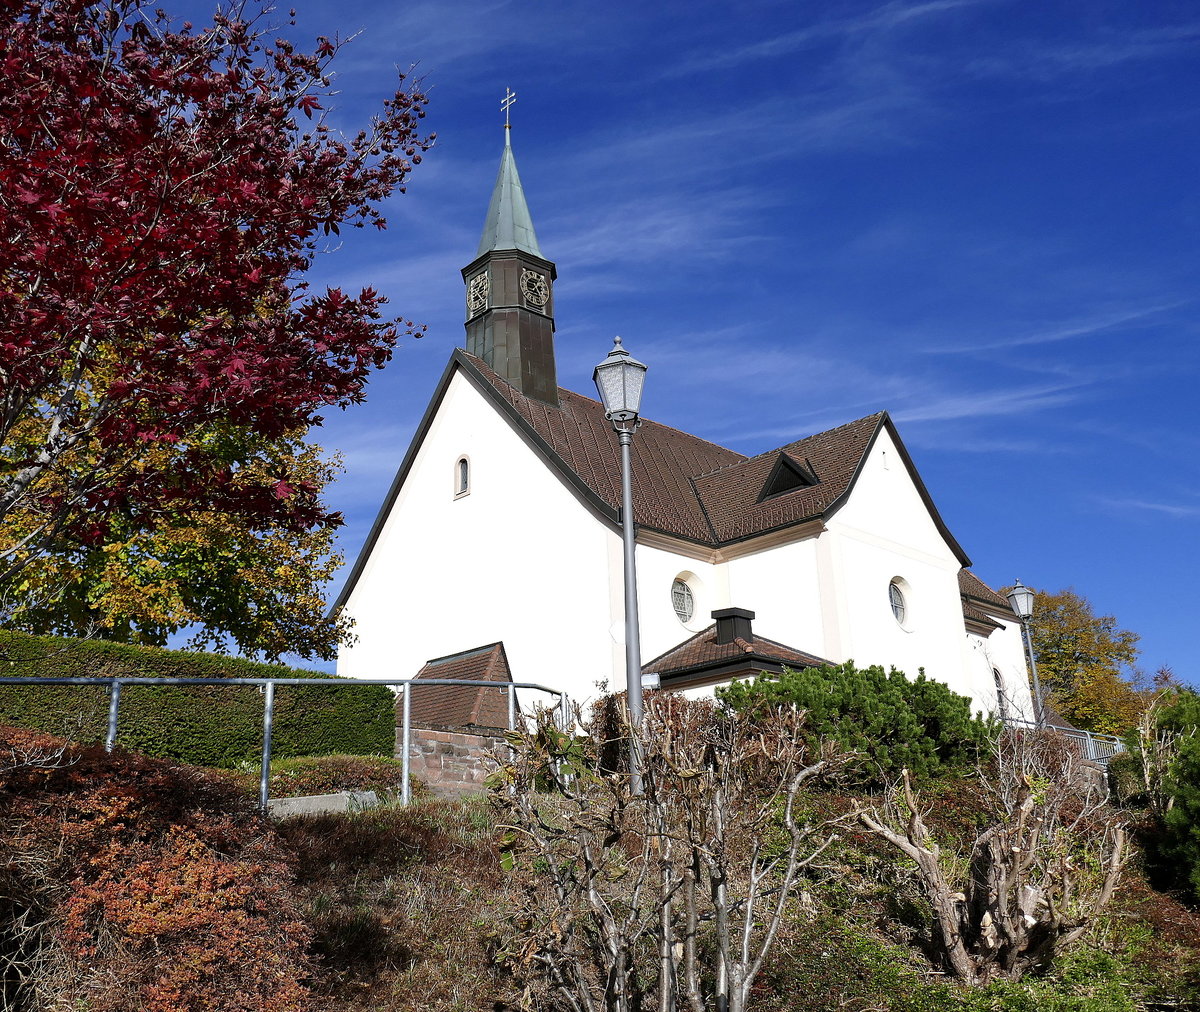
464 706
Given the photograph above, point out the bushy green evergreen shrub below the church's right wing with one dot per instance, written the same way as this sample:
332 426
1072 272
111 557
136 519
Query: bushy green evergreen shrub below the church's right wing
893 723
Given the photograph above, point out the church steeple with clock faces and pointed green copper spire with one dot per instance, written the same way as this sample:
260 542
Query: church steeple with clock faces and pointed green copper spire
511 307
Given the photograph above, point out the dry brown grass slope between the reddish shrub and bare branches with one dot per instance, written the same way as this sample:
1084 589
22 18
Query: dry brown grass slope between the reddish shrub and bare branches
407 906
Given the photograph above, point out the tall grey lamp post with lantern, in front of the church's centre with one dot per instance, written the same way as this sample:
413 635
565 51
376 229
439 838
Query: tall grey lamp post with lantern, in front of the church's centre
620 380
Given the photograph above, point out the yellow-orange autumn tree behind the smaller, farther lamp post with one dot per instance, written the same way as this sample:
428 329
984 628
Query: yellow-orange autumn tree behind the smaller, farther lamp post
1085 663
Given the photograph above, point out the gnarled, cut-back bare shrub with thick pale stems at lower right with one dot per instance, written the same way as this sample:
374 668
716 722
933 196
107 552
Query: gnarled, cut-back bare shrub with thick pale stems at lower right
1035 879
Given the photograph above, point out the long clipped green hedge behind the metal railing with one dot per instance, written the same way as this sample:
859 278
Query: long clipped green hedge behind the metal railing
205 726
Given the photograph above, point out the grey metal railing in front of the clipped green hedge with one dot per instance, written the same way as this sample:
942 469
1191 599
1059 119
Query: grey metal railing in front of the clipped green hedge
268 687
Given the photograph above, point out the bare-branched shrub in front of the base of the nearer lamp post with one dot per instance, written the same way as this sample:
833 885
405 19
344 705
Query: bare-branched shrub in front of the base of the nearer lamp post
671 899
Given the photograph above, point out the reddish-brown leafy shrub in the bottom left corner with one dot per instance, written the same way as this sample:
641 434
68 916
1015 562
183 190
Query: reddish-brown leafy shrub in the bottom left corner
135 884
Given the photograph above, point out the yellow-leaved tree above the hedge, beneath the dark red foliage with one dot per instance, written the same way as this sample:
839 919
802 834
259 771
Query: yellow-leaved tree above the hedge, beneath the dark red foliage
227 582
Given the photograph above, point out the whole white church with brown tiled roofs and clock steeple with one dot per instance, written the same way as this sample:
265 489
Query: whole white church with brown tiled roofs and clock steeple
501 535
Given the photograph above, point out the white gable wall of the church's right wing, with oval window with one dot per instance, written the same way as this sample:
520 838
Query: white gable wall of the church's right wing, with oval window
883 534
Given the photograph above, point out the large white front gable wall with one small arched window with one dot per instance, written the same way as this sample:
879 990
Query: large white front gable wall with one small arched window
518 560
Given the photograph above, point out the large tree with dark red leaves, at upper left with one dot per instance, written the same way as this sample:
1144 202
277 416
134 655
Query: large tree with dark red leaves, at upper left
164 190
